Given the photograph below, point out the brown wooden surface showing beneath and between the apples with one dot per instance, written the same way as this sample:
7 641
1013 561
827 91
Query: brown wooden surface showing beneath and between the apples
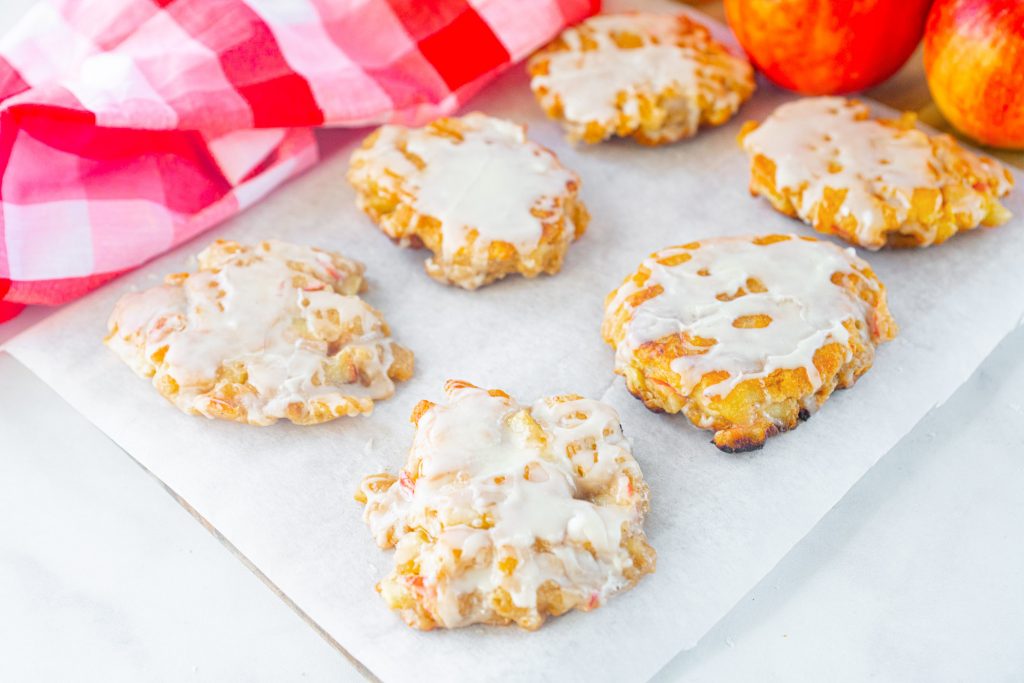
908 91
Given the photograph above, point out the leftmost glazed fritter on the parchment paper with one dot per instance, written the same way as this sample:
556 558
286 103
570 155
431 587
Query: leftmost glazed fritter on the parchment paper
262 333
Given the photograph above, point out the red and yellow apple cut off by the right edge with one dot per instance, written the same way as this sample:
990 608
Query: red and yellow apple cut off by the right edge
974 58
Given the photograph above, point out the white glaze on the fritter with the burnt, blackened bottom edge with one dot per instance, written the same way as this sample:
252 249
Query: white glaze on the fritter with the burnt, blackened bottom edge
806 309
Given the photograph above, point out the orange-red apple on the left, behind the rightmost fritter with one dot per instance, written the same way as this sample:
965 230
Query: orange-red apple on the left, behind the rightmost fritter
820 48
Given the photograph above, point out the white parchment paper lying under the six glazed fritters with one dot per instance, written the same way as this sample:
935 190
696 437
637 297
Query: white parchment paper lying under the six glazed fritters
283 495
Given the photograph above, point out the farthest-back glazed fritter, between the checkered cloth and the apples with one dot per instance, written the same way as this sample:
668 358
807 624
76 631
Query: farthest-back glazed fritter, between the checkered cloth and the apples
656 78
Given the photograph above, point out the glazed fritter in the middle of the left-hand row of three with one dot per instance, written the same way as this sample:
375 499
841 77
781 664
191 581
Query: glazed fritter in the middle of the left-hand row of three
487 201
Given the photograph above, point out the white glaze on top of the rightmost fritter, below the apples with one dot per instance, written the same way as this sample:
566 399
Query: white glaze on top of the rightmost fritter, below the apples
878 165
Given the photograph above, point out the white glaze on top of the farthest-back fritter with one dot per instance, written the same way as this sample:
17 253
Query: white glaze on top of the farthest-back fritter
594 86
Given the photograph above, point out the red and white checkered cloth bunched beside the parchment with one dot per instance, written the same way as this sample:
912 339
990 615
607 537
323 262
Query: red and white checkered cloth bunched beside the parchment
130 126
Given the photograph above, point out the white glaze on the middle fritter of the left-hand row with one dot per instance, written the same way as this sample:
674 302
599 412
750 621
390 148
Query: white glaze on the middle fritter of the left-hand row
491 182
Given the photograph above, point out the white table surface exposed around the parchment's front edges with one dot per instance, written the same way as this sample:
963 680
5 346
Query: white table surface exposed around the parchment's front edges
918 575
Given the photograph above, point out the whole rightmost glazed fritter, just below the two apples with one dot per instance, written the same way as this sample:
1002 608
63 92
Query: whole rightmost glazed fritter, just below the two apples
872 183
